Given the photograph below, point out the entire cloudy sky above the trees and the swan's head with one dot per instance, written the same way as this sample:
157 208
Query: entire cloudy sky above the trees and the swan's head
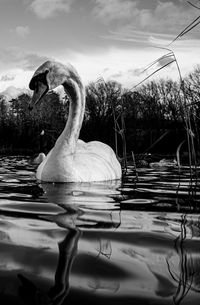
113 39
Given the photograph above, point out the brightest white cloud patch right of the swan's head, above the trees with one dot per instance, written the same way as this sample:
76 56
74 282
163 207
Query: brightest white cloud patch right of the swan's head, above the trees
122 65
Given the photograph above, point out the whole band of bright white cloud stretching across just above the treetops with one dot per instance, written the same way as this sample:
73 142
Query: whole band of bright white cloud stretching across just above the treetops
120 64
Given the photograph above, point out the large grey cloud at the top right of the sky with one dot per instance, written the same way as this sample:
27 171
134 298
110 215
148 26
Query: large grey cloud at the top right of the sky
159 17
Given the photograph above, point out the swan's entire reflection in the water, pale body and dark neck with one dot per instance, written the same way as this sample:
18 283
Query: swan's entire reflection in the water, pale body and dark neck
65 196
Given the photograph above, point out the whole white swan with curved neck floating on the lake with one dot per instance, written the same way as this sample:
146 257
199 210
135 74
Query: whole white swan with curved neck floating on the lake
71 159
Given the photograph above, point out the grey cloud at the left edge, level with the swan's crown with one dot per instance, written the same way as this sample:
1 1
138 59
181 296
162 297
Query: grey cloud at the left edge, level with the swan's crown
17 58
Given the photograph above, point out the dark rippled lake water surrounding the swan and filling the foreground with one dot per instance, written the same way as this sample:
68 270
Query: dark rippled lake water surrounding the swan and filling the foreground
135 242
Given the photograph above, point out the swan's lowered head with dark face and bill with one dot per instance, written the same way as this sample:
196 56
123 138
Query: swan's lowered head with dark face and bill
48 76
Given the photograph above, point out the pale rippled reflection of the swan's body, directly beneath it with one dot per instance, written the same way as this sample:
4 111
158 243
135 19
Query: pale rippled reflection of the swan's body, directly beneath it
85 205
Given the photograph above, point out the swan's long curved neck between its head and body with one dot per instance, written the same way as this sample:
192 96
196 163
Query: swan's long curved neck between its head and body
70 134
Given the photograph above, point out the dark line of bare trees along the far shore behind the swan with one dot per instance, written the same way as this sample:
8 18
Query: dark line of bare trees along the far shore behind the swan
152 118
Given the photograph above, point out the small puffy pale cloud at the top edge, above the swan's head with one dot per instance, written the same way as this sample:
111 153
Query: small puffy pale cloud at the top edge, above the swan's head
48 8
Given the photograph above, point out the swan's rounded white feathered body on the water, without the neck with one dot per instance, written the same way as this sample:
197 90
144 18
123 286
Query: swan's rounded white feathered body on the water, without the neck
93 161
